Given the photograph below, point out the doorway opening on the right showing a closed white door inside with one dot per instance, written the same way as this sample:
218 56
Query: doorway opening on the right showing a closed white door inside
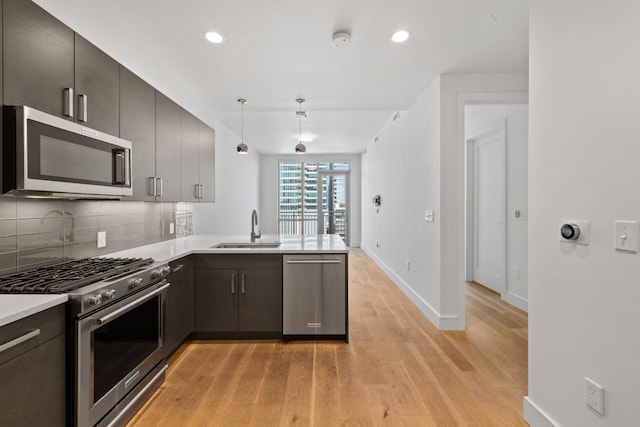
496 137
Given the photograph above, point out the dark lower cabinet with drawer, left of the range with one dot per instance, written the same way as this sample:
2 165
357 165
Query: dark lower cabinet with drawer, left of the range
32 373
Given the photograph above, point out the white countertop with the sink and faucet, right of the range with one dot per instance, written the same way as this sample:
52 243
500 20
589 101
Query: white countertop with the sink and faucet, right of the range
170 250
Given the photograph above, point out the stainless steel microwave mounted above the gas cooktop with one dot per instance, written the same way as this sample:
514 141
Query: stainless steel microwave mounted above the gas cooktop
47 156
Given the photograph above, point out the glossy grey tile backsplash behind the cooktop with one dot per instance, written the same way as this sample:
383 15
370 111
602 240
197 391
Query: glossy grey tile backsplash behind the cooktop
34 232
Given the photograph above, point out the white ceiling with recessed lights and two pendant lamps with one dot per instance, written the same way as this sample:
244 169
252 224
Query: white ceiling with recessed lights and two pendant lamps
280 50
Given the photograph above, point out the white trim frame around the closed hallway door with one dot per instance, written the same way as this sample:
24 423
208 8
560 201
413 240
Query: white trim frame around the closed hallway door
496 127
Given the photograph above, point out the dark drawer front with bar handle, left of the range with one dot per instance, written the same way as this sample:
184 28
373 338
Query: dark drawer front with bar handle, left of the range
24 334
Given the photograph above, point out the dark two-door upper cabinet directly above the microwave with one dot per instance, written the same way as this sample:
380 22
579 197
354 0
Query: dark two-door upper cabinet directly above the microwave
50 68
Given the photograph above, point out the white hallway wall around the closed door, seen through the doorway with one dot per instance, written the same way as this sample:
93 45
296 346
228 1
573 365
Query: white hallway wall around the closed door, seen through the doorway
515 117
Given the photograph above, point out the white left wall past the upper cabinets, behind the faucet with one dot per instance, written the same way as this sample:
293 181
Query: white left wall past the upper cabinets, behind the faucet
237 189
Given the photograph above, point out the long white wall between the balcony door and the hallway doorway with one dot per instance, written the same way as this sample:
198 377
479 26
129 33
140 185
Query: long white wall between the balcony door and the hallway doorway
403 166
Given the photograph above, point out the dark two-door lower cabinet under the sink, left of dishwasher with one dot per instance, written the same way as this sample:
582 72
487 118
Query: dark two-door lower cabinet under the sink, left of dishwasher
235 299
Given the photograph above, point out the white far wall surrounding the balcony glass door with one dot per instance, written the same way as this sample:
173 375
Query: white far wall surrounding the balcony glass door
269 189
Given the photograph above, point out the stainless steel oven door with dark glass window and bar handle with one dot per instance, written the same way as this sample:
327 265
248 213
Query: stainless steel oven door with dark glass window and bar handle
116 348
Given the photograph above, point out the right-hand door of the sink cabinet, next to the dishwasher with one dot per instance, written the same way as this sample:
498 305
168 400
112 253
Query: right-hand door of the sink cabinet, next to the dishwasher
260 300
